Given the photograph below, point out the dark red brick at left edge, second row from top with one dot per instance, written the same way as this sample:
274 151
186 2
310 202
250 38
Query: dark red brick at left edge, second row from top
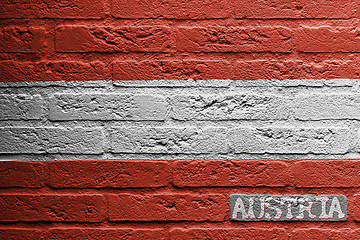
21 39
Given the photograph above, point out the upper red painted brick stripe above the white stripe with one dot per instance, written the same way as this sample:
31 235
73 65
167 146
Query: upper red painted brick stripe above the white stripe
199 39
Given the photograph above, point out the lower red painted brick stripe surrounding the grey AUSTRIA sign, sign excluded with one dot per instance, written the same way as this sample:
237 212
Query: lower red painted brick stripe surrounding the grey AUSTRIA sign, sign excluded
153 193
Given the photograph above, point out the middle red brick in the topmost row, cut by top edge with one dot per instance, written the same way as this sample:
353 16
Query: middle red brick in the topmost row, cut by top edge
185 9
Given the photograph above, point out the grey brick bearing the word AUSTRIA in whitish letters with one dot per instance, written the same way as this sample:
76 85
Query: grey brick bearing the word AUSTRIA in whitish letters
288 208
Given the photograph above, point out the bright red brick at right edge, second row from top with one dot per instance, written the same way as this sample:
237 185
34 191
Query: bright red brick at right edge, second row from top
327 39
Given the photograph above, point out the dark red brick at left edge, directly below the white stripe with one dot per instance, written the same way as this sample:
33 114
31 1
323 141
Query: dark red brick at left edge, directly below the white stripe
23 174
